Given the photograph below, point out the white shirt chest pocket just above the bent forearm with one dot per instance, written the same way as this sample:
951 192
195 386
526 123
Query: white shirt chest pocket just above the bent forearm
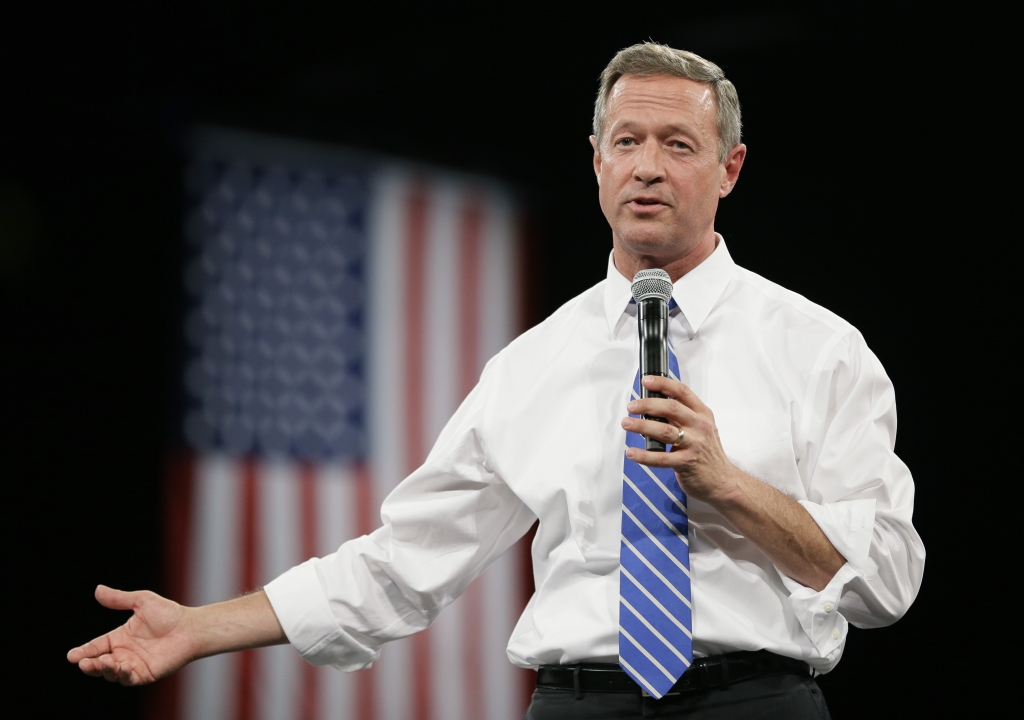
761 445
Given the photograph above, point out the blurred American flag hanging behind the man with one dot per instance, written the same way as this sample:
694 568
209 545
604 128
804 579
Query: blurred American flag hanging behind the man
340 309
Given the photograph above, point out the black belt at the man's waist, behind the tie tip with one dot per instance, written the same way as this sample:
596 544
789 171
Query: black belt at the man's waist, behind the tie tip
705 674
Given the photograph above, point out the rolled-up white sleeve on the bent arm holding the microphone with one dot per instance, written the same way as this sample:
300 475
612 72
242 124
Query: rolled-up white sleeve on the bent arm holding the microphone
861 494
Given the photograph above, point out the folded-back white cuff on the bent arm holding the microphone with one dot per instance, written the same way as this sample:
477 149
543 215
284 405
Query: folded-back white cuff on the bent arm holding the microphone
849 527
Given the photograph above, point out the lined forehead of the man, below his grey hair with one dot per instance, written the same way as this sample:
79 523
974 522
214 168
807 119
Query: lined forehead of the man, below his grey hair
661 99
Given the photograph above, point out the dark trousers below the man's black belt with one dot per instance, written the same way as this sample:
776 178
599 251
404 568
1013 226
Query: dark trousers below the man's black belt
776 698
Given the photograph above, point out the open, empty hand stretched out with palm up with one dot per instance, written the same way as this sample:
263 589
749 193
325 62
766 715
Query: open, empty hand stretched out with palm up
155 643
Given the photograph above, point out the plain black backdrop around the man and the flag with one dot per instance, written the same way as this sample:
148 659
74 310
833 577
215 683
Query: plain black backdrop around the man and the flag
881 146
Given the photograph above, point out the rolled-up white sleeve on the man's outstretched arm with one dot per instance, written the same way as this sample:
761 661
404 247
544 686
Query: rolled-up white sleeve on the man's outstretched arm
443 526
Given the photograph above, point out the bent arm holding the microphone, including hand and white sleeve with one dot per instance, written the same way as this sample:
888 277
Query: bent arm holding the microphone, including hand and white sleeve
856 530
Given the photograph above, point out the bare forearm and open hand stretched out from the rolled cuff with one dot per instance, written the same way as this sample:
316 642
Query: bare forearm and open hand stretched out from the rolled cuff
162 637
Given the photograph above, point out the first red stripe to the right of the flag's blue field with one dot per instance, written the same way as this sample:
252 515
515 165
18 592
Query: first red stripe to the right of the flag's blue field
416 301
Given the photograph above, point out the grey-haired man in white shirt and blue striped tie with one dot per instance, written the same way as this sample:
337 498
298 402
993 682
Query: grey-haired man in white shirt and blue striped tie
734 562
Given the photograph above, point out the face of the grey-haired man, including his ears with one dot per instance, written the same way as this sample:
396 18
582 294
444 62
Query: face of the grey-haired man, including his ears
658 166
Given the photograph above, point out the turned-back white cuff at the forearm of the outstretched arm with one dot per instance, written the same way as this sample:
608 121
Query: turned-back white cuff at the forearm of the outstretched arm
306 616
